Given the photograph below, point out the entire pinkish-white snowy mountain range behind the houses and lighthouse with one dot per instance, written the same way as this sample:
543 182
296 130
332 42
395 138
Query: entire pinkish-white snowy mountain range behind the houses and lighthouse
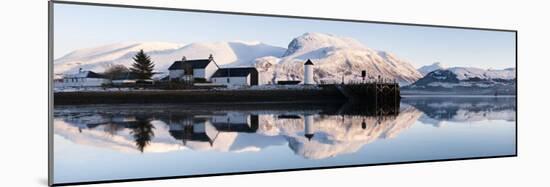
333 57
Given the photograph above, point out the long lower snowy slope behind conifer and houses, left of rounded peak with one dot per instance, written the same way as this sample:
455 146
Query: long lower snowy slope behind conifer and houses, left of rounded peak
98 59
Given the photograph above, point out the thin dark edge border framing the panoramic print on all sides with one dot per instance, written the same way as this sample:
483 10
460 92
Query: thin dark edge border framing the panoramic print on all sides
51 4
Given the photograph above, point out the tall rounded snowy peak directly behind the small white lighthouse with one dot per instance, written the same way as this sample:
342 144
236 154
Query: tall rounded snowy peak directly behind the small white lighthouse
334 57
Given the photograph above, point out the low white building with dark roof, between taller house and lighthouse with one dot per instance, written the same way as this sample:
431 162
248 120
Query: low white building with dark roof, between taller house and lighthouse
232 77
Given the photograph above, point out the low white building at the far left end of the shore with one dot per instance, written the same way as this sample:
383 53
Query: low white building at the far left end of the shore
82 79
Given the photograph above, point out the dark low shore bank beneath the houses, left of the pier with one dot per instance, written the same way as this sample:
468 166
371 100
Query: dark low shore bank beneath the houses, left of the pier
198 96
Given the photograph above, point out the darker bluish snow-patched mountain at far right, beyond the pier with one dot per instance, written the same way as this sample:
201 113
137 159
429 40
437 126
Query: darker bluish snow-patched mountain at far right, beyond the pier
458 79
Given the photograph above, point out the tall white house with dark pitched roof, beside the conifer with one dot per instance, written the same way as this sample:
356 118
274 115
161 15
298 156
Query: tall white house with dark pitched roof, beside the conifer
199 68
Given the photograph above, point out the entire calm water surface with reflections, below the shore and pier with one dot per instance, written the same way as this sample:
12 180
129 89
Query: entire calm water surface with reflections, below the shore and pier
107 142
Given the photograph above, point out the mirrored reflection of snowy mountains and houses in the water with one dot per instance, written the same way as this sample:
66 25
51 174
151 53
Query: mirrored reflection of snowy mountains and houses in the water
310 131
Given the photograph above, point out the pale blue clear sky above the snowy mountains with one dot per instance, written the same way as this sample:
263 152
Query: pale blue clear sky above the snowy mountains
80 26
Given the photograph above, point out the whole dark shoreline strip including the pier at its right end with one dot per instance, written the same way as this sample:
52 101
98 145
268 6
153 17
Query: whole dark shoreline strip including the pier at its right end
379 93
